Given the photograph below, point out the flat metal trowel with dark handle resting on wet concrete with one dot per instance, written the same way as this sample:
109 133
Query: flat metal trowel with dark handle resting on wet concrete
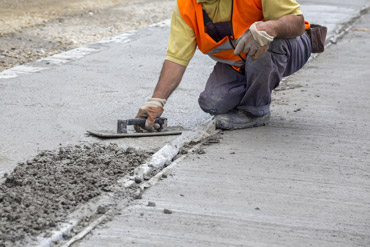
123 132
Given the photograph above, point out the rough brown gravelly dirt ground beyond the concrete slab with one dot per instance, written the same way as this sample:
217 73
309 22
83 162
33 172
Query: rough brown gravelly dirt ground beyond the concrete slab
32 29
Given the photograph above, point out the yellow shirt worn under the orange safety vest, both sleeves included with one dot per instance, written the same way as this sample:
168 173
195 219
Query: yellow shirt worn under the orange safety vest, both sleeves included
182 41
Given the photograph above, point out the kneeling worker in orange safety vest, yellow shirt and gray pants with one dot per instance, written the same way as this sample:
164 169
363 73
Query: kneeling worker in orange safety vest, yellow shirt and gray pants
255 44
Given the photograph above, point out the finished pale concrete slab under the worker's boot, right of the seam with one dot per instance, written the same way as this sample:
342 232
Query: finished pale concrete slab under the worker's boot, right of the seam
303 180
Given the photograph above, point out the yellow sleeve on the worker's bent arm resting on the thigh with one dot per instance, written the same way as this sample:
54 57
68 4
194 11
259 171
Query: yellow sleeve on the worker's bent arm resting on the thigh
274 9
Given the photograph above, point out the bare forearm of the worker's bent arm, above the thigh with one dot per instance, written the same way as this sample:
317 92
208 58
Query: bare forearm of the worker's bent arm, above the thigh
289 26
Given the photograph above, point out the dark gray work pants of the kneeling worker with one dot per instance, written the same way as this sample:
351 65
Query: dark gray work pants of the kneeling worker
227 89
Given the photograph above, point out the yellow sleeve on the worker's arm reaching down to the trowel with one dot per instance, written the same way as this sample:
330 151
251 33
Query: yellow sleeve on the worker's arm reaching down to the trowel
182 41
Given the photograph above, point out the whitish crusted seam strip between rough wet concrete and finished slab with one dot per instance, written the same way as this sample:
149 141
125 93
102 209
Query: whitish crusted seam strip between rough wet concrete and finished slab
158 161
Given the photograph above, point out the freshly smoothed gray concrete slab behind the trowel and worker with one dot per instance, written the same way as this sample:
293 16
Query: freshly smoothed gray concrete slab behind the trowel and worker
55 100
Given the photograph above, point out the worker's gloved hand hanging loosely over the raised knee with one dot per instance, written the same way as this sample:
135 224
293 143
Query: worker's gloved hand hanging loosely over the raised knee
253 43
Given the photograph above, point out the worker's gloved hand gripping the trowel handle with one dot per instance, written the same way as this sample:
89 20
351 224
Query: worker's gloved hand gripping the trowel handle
152 109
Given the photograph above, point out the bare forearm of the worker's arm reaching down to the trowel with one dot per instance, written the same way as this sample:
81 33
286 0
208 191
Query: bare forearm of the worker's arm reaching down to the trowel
169 79
